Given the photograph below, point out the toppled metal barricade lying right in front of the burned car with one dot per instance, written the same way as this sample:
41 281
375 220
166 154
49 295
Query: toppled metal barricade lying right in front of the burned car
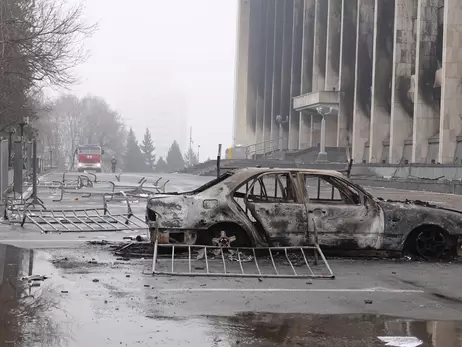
253 262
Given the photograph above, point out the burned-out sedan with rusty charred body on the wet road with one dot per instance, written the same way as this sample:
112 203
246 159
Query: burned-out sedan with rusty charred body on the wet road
262 207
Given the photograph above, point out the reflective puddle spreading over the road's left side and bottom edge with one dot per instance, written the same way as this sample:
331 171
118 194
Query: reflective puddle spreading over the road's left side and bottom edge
86 314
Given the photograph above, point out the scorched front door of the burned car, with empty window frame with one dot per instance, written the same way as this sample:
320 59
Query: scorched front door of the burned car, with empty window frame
343 216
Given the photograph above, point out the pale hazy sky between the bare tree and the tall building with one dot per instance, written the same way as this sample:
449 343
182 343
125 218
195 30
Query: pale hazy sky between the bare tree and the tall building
166 65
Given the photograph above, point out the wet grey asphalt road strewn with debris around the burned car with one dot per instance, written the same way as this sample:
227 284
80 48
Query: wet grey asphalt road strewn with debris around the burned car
92 298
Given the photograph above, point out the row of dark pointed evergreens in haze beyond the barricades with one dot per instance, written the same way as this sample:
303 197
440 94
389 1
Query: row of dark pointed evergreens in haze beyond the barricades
142 158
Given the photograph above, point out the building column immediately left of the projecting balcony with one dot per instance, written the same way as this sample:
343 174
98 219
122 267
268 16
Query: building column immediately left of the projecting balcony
286 103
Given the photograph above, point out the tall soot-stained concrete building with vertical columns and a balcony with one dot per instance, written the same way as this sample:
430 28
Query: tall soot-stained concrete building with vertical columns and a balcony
387 75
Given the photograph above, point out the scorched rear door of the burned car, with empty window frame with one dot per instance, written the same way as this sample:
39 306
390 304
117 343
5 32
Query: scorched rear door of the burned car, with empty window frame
276 202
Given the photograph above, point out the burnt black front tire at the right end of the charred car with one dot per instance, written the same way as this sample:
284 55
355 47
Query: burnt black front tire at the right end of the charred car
433 244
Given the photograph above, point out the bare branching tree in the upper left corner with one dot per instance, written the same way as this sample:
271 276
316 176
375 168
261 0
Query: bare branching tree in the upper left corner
40 42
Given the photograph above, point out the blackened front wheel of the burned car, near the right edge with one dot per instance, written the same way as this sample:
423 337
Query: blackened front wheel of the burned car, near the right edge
432 244
